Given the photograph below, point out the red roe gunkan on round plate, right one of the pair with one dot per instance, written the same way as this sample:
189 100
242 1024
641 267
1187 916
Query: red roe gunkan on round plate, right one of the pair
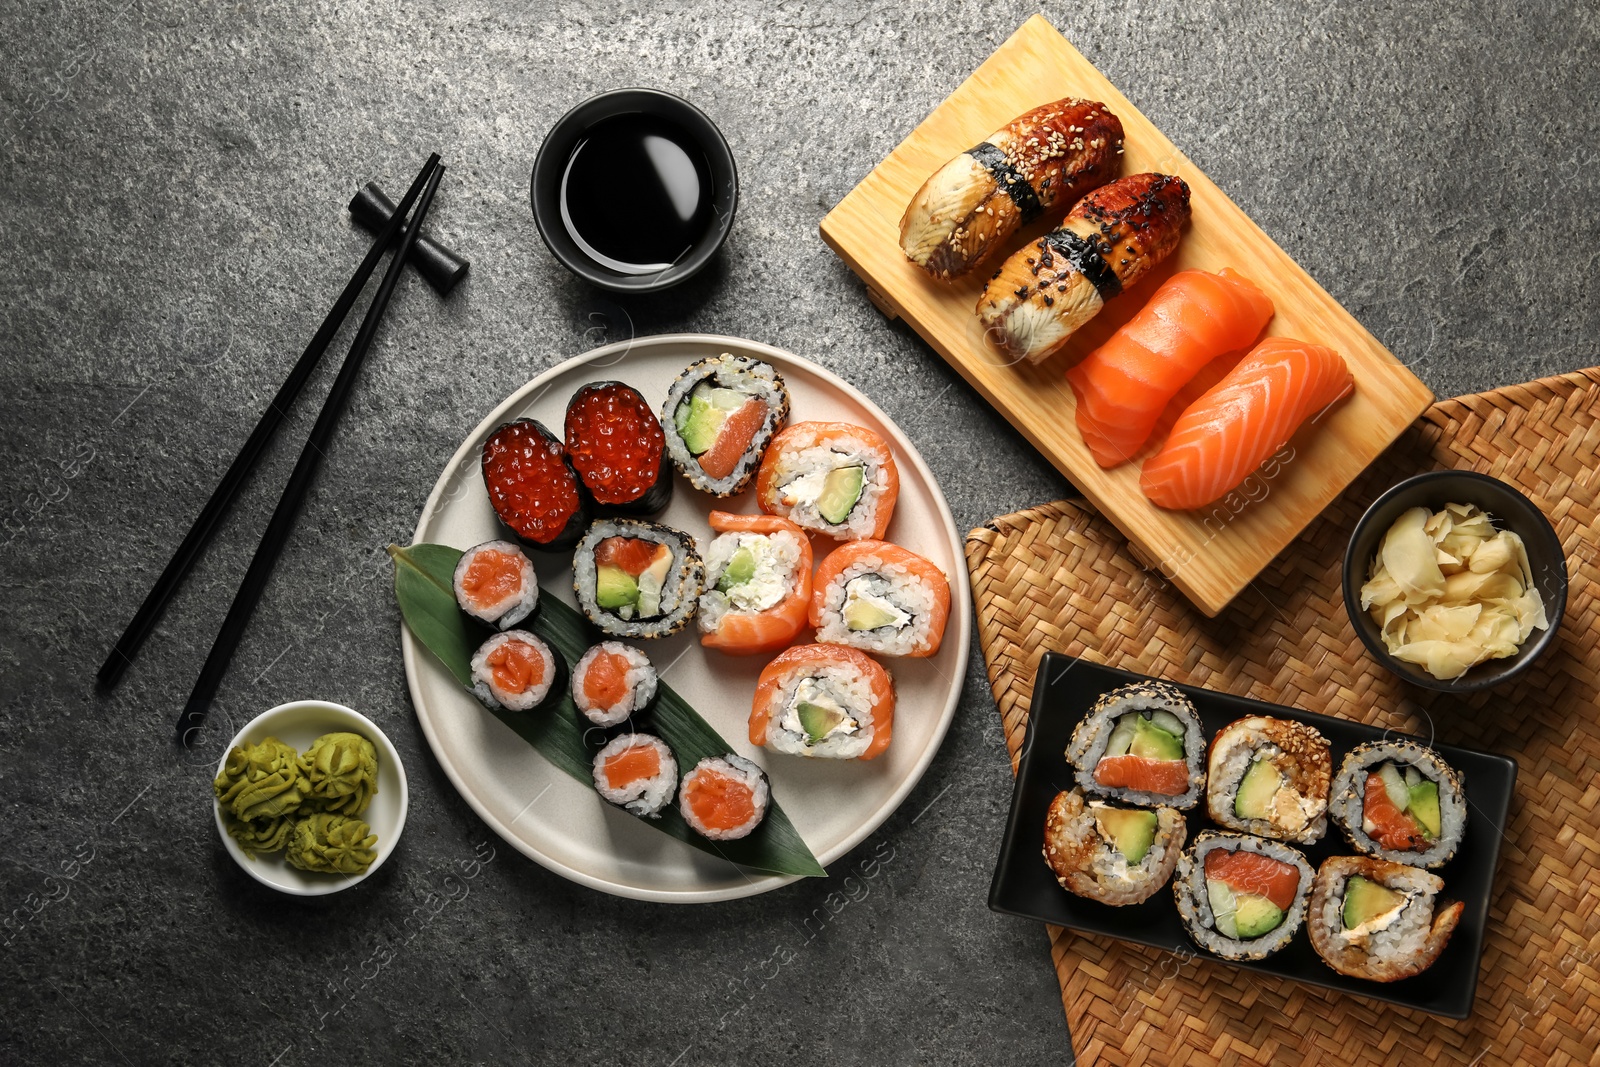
618 450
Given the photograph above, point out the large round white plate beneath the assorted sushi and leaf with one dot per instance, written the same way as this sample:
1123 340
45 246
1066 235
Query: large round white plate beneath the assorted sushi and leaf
559 821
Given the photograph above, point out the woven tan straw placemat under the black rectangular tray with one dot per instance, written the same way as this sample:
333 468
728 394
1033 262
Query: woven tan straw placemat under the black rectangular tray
1062 578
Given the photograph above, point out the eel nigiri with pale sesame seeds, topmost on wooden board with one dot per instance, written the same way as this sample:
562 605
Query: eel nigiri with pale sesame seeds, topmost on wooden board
969 207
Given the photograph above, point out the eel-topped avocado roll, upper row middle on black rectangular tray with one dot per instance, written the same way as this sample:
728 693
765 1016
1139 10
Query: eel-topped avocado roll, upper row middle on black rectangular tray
1271 777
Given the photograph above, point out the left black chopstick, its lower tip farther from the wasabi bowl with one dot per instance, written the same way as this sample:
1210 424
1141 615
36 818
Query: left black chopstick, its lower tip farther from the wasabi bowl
145 620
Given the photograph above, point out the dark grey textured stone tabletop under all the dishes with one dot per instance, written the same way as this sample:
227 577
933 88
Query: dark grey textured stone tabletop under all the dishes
174 185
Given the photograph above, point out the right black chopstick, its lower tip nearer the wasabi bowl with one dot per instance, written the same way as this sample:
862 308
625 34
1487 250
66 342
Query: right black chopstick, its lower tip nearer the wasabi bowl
295 492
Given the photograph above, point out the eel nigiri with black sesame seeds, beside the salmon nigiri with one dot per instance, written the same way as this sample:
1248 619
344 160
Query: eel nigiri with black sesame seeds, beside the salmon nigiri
1113 238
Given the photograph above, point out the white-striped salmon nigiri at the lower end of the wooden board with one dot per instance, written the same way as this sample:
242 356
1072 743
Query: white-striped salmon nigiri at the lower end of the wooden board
1242 422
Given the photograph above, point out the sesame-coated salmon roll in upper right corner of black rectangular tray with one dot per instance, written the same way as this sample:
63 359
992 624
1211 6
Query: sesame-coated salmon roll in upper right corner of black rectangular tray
1401 802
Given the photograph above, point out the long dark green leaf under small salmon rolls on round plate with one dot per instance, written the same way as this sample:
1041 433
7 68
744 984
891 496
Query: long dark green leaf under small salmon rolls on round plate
425 575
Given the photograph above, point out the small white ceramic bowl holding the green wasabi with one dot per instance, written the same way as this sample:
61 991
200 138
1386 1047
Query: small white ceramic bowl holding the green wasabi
300 724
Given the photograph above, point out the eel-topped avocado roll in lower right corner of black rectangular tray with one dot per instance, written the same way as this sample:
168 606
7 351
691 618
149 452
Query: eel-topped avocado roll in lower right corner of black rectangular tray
1380 921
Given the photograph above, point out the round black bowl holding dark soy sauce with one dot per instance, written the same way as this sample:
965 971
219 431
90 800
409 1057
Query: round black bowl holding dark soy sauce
558 150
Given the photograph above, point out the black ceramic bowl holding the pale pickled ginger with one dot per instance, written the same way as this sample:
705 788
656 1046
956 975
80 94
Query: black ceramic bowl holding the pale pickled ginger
1511 511
